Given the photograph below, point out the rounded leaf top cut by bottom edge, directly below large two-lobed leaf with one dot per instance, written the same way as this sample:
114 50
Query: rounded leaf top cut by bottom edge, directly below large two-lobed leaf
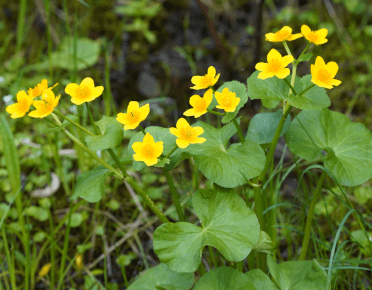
224 278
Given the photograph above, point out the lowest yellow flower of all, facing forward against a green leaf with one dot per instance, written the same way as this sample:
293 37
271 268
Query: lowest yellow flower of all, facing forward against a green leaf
147 151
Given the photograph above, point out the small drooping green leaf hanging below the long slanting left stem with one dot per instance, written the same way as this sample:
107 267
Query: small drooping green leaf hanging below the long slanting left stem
89 185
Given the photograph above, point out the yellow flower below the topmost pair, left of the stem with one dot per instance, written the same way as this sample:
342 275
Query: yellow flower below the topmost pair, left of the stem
276 65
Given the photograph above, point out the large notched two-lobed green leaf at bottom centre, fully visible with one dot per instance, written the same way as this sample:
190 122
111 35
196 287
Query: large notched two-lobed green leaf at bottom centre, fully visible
226 224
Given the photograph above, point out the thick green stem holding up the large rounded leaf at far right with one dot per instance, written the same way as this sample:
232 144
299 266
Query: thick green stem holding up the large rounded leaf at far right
310 216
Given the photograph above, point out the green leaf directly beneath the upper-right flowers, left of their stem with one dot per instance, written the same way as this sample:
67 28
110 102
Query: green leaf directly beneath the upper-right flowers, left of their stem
271 91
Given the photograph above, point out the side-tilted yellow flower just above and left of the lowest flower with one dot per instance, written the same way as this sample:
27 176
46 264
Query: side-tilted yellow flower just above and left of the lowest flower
134 116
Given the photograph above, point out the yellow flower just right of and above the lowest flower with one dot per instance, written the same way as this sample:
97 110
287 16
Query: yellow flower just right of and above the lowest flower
186 134
